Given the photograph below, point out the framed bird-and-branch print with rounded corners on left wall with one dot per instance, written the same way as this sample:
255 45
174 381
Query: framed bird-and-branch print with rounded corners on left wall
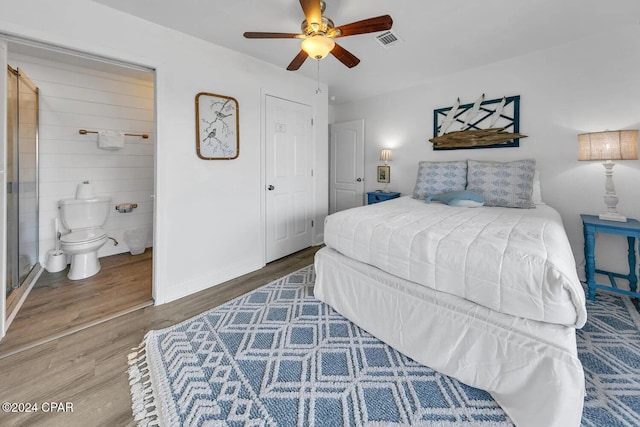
217 128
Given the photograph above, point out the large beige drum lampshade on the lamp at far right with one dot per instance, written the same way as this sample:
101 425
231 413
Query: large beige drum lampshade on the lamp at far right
608 145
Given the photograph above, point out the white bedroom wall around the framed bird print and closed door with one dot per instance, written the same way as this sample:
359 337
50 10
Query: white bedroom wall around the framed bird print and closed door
209 214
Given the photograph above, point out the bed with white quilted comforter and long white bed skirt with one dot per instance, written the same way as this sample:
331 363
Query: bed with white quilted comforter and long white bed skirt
488 295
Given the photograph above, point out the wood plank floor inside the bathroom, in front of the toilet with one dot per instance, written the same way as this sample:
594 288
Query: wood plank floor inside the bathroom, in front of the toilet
57 305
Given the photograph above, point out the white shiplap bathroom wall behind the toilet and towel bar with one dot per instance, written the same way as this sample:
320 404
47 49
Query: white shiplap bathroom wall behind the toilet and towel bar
73 98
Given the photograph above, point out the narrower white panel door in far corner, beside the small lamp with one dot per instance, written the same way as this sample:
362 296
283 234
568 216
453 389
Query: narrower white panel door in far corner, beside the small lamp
346 185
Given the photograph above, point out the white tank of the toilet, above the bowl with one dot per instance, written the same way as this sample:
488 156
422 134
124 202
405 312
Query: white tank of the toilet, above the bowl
84 213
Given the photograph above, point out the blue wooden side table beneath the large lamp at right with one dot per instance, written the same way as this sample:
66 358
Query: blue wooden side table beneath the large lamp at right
631 229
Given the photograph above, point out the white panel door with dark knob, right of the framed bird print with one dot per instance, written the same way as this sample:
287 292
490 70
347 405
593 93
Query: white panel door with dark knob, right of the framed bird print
288 178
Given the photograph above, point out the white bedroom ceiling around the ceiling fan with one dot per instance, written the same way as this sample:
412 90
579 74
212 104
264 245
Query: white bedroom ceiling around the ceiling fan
438 37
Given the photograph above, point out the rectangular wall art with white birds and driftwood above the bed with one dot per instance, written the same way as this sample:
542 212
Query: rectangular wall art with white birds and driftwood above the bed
483 124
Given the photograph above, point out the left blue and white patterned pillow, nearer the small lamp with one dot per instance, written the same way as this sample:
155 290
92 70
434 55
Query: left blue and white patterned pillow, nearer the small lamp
440 177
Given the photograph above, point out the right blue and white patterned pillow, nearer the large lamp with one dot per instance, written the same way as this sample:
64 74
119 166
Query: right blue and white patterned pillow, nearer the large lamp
508 184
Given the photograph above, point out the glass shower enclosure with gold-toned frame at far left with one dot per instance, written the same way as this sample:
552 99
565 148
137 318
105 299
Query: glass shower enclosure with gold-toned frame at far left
22 187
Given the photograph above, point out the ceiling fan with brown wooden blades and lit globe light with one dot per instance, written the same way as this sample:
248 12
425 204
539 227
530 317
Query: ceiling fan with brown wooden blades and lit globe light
318 33
